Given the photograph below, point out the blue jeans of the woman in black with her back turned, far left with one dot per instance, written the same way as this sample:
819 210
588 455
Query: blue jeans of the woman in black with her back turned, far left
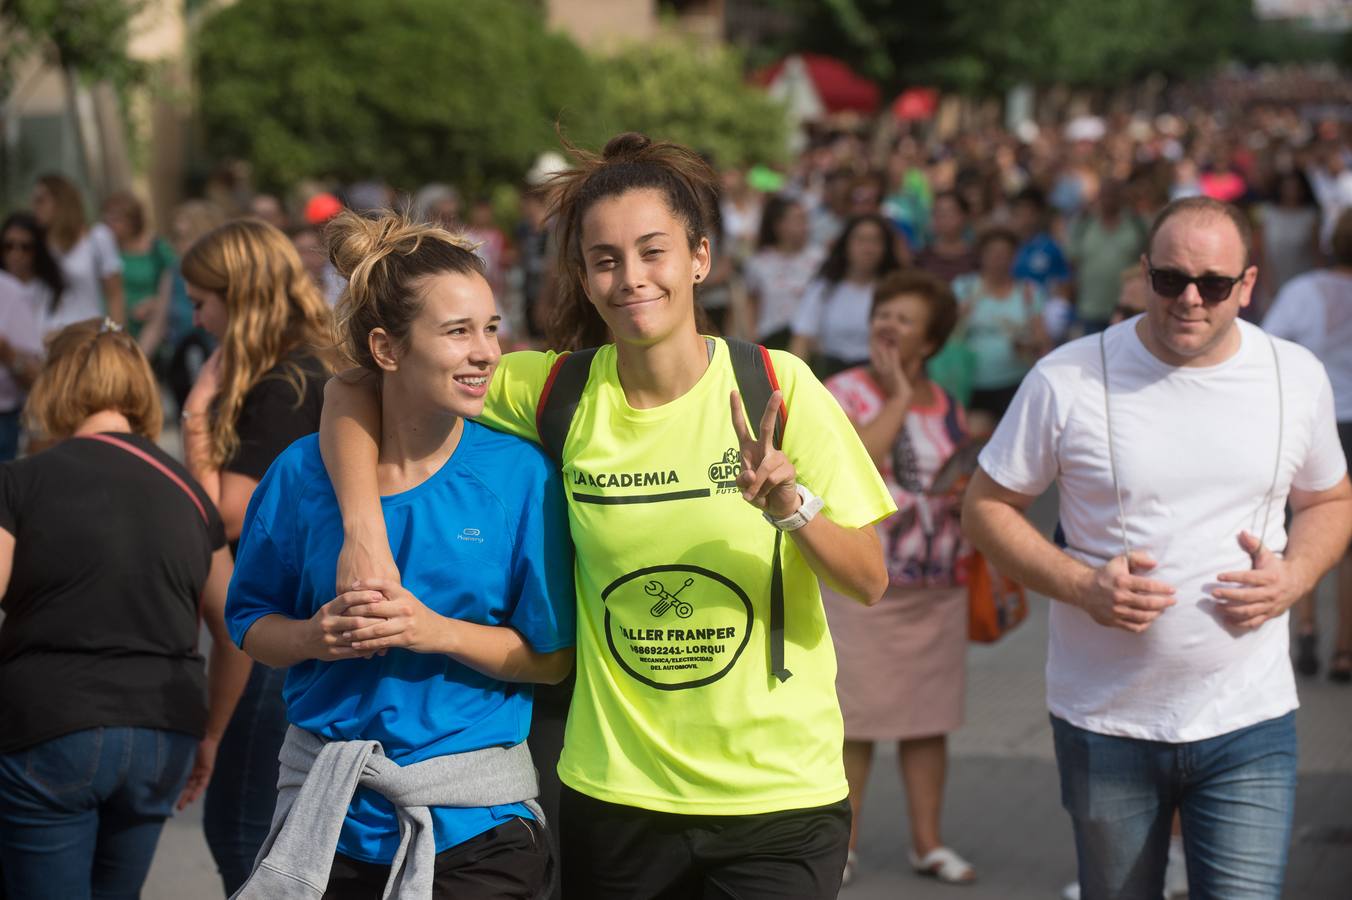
80 816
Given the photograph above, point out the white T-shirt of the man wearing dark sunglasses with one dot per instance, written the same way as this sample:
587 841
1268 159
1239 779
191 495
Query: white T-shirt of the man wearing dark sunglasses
1196 449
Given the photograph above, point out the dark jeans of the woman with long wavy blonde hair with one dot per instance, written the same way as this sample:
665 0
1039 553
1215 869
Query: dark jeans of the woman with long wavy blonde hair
244 787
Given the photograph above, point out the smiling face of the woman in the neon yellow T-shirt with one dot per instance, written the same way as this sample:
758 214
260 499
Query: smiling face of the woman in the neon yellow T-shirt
640 270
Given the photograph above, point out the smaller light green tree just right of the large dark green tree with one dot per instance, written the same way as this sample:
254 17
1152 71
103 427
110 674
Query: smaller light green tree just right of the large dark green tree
677 91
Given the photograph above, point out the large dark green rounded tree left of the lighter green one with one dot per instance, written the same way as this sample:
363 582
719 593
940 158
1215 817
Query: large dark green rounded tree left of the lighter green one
410 90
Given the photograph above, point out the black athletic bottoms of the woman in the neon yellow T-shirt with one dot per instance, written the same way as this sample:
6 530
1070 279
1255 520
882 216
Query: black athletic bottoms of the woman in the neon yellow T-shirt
624 853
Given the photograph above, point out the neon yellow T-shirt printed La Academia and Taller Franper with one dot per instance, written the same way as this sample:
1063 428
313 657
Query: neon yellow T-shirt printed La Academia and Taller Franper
677 709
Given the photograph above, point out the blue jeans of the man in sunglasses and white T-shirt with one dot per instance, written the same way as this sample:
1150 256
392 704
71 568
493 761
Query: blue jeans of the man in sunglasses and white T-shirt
1235 795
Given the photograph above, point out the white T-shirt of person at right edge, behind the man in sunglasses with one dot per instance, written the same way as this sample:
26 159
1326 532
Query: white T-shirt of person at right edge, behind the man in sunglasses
1315 310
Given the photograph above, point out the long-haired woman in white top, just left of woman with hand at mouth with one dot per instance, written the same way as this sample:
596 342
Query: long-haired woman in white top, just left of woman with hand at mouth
832 324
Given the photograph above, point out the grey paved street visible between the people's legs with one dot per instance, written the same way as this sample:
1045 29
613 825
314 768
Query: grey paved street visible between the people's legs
1004 811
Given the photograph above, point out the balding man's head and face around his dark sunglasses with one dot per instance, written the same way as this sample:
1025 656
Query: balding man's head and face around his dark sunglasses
1186 330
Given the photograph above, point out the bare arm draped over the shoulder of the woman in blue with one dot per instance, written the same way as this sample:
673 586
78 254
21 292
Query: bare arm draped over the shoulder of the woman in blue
349 441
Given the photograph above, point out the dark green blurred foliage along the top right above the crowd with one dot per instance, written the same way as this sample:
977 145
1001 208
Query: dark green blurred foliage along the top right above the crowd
989 45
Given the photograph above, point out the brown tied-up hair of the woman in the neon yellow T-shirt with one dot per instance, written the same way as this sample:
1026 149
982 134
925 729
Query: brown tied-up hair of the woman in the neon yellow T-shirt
629 163
